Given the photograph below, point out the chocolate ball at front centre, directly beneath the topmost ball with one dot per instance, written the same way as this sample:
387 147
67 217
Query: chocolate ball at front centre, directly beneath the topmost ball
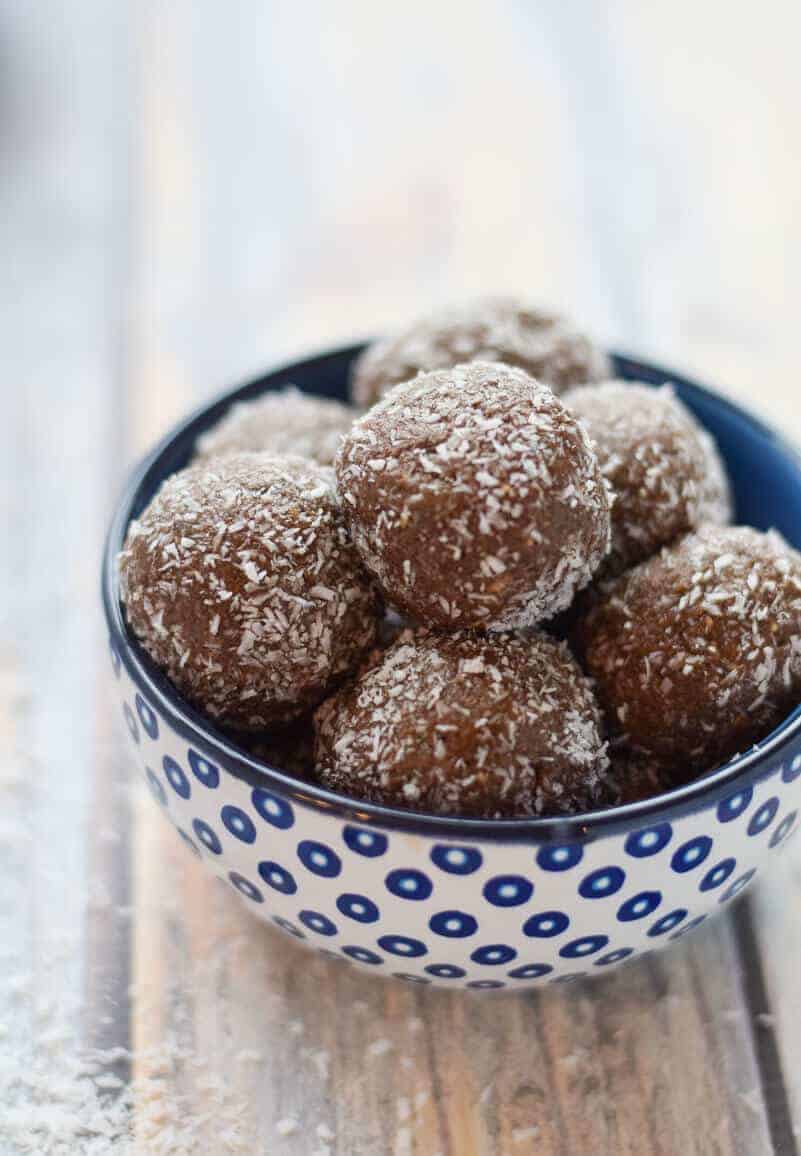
466 724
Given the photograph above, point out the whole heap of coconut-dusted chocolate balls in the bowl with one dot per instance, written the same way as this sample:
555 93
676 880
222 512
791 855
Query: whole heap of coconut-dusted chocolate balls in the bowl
515 594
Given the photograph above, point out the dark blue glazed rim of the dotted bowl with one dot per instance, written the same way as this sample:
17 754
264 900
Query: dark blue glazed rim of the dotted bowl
191 724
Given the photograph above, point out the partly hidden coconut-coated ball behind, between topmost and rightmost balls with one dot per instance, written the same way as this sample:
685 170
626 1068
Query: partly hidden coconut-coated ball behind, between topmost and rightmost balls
664 469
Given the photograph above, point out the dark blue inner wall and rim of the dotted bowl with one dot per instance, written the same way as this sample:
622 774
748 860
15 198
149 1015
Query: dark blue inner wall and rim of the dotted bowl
766 475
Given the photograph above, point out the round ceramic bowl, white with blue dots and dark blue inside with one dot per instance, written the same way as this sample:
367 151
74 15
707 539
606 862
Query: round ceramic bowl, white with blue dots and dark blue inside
463 903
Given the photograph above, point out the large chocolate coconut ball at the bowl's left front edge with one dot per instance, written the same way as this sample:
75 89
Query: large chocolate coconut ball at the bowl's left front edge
242 584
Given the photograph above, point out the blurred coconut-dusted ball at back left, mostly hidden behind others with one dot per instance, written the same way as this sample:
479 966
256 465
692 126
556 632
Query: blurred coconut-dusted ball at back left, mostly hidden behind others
286 421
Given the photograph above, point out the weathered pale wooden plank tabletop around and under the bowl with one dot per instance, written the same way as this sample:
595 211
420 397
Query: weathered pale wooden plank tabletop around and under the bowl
192 192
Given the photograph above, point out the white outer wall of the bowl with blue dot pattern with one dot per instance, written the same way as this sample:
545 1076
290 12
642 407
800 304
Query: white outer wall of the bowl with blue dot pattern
406 913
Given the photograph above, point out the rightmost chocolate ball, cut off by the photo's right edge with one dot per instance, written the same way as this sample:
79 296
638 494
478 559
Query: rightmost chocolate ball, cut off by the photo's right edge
698 651
